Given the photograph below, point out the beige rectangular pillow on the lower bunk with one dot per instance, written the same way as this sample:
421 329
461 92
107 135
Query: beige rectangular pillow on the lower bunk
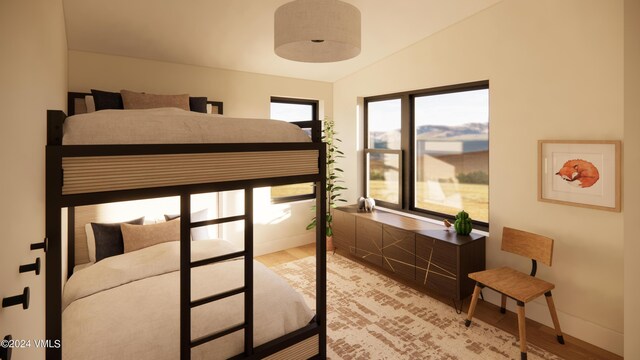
136 237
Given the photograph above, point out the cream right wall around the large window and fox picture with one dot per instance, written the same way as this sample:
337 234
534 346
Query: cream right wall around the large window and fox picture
555 72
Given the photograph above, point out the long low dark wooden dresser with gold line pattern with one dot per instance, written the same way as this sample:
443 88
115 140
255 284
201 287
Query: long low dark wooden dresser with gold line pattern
419 251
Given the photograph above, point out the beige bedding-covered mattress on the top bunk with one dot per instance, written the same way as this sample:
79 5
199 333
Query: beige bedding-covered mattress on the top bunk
173 126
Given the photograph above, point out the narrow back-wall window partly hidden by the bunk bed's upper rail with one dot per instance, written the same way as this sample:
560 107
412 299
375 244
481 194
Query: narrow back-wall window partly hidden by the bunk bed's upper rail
293 110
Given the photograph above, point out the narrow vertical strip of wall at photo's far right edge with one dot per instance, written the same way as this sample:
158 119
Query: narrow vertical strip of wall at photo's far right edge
631 174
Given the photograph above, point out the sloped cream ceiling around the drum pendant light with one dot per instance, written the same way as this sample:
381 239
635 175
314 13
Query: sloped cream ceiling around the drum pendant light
238 34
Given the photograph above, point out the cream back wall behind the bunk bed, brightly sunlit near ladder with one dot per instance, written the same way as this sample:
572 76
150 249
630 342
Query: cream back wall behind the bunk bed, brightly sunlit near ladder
244 95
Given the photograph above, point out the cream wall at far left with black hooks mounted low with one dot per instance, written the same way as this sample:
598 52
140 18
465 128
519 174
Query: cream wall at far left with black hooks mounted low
33 78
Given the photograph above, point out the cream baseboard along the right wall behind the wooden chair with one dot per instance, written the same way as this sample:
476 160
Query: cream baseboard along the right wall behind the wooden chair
582 329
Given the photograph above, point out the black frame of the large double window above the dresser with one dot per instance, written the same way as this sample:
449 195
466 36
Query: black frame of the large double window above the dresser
407 148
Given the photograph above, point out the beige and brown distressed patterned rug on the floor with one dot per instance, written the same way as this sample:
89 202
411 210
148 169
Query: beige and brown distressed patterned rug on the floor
370 316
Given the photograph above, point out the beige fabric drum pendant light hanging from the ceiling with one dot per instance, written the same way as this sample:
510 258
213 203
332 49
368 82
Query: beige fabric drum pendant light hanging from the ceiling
317 31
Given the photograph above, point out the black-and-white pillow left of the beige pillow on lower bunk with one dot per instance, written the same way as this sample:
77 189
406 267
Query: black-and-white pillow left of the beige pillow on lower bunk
105 240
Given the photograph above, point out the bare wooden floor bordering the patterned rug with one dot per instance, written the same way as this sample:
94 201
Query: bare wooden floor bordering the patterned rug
537 333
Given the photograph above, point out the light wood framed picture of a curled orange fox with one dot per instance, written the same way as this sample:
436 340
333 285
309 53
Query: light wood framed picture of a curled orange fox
584 173
